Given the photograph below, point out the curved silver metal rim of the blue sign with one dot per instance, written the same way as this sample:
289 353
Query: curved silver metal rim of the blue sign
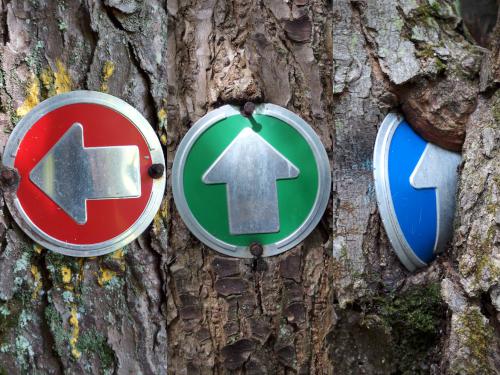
383 193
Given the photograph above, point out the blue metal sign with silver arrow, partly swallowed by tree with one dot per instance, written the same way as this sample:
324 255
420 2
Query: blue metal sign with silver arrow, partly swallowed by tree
415 184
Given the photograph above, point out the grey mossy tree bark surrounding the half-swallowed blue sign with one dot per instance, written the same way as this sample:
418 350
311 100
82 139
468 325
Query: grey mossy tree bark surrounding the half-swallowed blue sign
414 55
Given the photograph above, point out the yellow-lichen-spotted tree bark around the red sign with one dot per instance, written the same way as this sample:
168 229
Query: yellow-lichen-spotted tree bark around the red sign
59 314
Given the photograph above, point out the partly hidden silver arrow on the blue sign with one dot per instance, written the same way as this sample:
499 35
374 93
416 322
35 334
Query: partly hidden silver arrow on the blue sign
437 168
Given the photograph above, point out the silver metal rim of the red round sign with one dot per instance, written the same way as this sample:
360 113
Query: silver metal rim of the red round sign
142 125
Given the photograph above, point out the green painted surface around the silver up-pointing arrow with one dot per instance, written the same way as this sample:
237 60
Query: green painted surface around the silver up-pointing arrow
208 203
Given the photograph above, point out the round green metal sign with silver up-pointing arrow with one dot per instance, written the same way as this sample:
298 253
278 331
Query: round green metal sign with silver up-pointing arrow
262 179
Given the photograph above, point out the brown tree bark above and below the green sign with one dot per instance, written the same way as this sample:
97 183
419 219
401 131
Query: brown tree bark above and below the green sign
230 314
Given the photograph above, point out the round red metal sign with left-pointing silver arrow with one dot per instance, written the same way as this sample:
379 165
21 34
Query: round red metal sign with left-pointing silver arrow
83 159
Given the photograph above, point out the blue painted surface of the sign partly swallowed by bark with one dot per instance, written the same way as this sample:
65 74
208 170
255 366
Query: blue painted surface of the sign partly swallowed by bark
415 208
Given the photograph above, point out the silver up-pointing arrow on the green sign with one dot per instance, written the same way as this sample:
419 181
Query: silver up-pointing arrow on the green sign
249 167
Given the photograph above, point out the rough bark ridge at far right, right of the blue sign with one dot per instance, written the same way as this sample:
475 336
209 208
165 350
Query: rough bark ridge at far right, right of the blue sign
471 288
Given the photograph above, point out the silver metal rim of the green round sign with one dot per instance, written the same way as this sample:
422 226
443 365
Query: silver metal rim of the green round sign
322 195
